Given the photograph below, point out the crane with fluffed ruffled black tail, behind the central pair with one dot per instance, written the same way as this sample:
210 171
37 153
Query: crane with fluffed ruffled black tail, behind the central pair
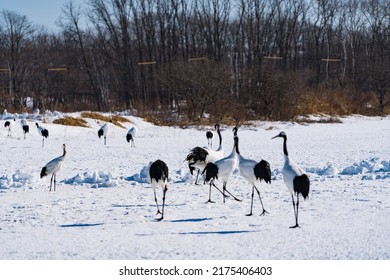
198 157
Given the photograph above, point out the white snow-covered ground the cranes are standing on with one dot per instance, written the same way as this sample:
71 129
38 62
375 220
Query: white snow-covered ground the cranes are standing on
104 208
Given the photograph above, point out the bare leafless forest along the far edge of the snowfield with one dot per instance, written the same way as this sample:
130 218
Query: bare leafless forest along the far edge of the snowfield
179 61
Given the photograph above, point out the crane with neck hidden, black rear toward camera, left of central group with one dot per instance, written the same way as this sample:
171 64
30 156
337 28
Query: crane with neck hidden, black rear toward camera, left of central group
158 177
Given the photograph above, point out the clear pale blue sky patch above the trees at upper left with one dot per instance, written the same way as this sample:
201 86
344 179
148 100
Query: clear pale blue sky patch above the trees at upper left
41 12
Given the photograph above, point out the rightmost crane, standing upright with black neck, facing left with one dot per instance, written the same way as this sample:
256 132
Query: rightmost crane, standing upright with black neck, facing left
294 177
